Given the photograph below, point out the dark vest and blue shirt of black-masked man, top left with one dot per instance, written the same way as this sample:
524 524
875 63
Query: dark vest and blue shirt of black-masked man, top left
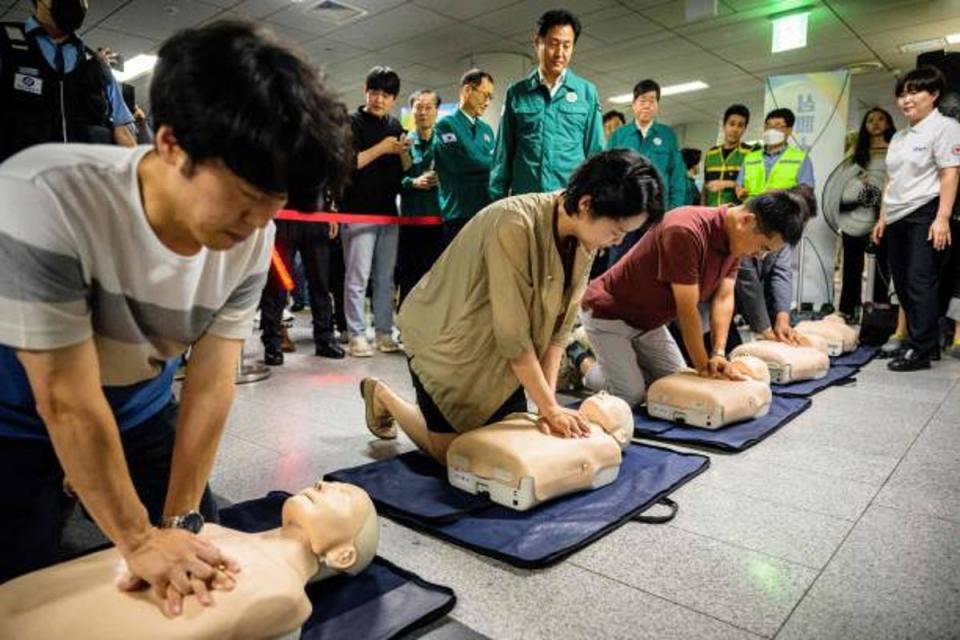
53 92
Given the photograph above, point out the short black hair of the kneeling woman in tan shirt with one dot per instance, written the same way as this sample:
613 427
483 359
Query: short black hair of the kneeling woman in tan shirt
621 184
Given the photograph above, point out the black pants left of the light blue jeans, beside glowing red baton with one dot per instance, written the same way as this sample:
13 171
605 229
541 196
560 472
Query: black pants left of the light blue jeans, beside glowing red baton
312 241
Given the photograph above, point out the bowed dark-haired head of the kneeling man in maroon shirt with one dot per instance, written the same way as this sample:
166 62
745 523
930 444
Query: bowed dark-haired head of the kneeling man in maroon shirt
769 221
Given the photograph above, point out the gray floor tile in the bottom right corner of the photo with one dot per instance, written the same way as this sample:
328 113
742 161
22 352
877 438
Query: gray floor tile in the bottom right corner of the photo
896 576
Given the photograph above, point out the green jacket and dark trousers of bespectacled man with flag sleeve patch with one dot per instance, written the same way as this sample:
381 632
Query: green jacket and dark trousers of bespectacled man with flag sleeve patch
463 151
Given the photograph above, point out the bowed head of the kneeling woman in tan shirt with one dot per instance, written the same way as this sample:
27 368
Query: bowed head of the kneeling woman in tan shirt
611 194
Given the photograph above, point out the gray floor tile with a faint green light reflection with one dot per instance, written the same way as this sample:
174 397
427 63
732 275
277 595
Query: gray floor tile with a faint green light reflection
748 589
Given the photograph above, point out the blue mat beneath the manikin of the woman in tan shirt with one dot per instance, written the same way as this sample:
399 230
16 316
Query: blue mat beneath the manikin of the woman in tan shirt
412 489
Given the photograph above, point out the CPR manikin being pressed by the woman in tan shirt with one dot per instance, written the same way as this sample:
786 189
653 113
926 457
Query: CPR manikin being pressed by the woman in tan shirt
519 466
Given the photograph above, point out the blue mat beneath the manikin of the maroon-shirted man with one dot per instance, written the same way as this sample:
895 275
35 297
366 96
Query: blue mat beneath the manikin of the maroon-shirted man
733 438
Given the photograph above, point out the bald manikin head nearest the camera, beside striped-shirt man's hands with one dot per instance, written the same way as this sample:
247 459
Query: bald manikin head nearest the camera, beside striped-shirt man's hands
341 524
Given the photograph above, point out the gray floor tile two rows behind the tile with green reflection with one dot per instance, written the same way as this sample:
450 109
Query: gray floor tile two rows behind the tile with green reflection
794 487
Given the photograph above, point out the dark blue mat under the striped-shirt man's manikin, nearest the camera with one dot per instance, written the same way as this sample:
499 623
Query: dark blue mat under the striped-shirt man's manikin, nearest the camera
383 602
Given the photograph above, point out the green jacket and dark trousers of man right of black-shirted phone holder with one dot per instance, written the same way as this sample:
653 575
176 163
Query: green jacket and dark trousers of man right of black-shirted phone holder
419 245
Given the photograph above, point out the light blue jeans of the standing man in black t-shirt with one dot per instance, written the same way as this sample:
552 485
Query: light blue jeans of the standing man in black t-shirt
369 250
